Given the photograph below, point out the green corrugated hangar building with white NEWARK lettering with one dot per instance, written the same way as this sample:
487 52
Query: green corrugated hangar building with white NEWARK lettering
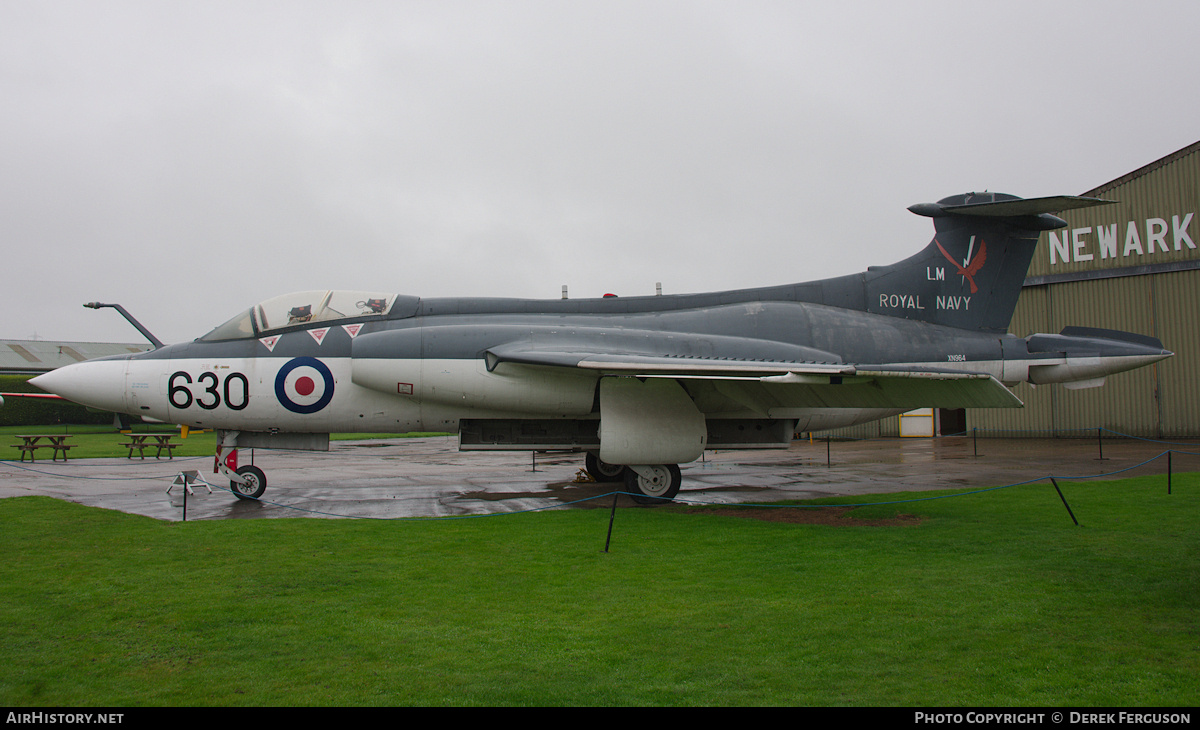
1133 267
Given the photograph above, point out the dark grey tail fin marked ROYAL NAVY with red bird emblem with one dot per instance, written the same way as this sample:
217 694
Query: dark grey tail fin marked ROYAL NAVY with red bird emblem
971 274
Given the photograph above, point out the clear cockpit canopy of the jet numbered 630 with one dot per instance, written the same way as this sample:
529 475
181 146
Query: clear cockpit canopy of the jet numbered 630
304 308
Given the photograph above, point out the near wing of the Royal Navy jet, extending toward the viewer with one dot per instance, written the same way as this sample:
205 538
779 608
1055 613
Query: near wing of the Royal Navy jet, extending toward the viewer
771 386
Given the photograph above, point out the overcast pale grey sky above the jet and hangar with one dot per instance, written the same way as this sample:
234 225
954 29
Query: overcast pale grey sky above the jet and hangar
191 159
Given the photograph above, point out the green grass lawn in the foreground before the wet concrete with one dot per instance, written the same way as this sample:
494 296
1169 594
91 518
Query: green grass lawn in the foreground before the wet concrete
993 600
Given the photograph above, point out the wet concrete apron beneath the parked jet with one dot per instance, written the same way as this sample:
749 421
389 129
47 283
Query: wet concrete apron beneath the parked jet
430 477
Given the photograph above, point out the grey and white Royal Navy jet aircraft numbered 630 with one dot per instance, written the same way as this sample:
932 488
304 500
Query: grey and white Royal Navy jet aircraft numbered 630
641 385
